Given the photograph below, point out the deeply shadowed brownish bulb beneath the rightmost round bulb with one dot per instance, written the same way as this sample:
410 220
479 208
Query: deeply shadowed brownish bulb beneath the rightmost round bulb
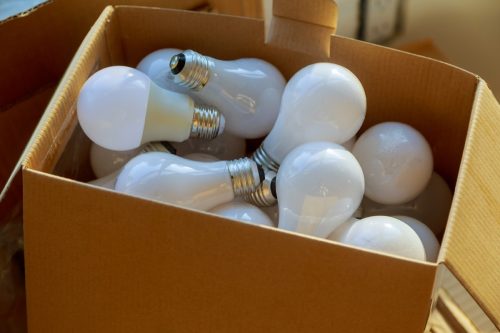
431 207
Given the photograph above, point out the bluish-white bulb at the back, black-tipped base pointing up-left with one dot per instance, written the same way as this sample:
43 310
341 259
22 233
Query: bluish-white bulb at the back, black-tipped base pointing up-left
247 91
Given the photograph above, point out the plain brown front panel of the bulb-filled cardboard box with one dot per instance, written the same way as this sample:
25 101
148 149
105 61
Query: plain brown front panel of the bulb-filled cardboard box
134 265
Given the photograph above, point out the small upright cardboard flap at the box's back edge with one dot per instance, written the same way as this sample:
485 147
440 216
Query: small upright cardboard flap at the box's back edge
304 26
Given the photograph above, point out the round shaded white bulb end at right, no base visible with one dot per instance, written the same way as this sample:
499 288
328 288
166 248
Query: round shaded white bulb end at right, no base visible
396 160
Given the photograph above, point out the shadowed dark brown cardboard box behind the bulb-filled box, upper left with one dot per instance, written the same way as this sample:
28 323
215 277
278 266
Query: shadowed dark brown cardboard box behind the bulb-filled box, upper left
37 47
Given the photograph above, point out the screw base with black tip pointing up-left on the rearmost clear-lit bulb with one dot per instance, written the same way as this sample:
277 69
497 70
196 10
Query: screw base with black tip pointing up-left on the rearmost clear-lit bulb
191 69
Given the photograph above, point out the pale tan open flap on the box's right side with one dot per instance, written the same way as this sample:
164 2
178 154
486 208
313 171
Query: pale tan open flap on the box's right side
470 250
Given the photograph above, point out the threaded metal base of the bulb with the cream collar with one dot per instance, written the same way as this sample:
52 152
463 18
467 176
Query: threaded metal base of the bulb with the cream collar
207 122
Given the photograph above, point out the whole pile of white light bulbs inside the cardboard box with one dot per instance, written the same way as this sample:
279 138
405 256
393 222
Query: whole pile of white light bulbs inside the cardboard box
310 174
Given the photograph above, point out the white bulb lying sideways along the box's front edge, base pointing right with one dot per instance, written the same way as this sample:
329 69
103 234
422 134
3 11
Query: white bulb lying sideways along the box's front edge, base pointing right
201 185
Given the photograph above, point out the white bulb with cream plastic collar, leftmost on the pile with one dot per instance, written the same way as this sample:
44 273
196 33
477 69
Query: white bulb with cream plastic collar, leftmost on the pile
120 108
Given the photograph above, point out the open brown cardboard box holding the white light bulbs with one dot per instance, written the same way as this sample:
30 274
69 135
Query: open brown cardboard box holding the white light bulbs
100 261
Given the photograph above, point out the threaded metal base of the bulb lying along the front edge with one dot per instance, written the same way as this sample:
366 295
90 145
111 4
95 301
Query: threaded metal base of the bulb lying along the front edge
242 176
